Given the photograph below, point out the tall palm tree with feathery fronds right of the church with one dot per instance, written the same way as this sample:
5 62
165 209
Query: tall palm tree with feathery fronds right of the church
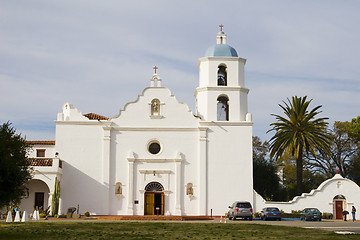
300 132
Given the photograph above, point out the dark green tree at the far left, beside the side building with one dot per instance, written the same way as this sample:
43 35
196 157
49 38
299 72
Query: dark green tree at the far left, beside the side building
14 166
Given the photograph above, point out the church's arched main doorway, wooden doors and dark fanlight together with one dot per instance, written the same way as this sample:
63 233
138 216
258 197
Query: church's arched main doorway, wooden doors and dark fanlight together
154 199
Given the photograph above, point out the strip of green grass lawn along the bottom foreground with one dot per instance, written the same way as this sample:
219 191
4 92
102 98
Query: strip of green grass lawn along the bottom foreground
157 230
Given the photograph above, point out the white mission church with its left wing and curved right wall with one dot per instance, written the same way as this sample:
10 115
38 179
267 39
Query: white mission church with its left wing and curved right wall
158 157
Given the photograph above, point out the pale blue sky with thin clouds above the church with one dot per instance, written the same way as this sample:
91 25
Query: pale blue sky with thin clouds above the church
99 55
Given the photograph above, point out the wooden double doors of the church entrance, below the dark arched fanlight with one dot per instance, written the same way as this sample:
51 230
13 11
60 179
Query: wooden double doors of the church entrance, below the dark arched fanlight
154 203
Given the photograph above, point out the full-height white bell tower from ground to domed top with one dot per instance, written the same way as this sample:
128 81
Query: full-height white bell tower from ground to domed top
226 141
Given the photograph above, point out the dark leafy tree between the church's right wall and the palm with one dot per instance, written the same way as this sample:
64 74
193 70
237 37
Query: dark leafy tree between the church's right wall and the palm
266 179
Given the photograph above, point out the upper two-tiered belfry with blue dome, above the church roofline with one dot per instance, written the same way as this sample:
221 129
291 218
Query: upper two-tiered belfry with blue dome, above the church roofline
221 94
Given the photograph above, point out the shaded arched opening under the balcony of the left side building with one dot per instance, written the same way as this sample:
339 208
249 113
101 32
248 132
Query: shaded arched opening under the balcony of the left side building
37 196
